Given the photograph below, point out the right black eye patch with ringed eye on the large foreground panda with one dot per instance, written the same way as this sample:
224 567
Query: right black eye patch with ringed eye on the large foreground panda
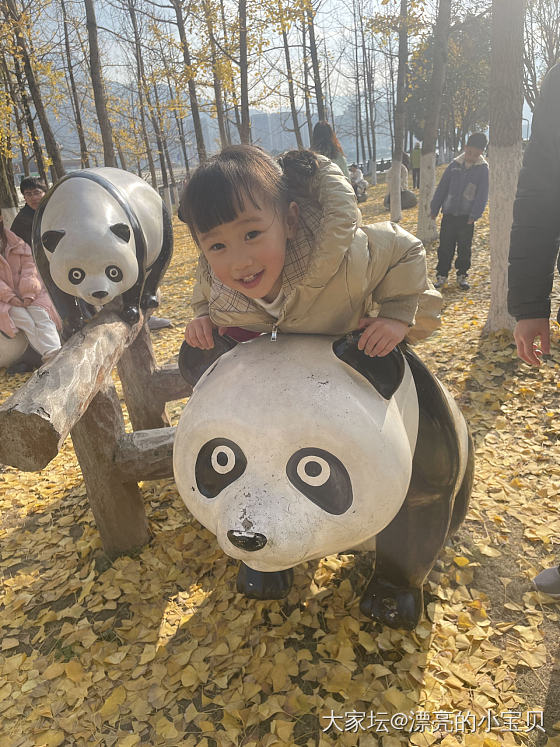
322 478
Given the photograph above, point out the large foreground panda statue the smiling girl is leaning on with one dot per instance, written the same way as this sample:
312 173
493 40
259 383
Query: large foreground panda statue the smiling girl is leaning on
296 449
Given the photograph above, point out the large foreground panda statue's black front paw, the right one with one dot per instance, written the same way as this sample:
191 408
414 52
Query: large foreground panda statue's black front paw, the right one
394 606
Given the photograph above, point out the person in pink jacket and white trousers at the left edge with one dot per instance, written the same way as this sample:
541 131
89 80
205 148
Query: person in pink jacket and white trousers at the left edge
24 301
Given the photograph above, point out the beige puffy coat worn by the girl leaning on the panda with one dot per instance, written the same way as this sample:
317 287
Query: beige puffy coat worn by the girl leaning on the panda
336 272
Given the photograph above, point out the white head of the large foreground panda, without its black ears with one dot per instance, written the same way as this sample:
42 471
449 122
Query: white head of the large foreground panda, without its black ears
287 454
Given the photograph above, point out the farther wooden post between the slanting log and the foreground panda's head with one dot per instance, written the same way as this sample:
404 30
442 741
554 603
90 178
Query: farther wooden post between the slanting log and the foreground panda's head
136 368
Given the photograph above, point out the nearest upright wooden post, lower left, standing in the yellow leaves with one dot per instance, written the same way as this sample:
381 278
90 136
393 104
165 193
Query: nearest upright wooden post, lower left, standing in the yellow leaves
117 506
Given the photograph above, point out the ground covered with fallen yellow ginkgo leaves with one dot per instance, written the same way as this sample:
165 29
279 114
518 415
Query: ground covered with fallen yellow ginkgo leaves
159 649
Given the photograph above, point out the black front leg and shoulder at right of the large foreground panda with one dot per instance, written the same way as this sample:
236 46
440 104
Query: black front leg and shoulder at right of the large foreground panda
407 549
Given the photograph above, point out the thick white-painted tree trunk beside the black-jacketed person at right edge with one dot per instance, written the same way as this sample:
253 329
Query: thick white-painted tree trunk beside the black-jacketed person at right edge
506 108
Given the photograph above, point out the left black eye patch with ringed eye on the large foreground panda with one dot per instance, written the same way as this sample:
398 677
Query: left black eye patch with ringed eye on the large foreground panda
219 463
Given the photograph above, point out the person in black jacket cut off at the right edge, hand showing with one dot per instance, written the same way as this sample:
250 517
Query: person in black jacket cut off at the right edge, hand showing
533 251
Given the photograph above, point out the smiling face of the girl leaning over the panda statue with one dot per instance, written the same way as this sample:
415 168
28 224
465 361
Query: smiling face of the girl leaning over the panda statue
248 253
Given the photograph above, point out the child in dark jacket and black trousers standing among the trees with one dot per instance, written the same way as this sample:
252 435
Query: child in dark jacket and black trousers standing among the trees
462 194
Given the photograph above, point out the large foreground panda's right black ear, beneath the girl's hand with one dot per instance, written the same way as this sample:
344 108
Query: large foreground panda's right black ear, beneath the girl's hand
384 373
